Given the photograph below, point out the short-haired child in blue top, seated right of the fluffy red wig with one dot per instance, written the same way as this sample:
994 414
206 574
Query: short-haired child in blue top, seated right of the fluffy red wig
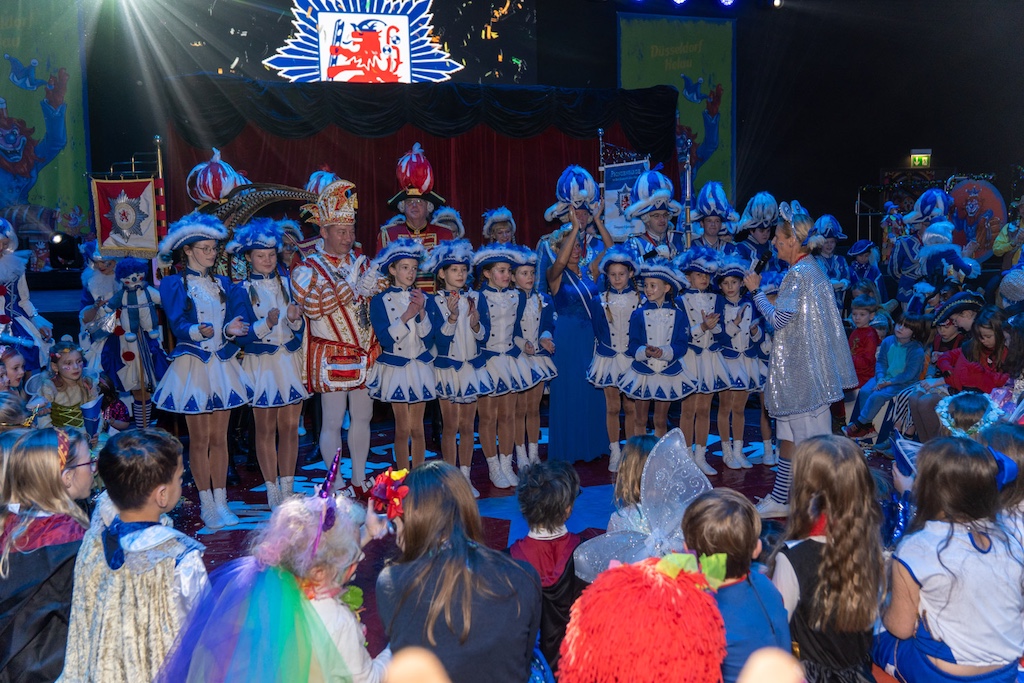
724 522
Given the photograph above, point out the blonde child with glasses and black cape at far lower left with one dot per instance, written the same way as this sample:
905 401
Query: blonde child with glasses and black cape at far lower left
41 531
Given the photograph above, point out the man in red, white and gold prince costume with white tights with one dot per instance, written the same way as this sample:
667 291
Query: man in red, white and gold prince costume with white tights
340 345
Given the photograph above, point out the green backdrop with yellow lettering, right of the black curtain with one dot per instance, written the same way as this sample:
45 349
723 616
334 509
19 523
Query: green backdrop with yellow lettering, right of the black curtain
658 51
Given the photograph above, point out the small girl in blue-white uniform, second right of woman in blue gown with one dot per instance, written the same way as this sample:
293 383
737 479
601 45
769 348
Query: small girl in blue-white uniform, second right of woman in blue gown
658 343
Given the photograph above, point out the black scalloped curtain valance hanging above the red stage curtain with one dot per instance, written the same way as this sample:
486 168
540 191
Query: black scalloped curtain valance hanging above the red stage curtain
219 108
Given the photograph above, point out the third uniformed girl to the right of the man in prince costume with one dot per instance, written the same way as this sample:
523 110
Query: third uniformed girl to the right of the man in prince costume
502 308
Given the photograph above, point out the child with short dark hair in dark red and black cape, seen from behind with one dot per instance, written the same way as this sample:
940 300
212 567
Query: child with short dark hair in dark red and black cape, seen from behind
547 492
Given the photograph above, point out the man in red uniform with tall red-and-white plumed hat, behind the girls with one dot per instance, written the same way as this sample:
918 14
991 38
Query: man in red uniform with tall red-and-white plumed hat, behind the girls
416 202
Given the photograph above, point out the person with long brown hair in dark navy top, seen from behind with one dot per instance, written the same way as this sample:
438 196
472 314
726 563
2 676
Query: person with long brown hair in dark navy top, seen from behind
478 610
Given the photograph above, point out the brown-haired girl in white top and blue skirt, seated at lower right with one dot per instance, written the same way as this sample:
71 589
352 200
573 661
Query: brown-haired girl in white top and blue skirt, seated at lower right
957 612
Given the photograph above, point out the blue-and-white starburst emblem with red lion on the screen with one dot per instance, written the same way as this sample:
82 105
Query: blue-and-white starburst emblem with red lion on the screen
363 41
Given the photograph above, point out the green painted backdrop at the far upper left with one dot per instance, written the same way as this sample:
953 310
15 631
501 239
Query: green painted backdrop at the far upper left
50 32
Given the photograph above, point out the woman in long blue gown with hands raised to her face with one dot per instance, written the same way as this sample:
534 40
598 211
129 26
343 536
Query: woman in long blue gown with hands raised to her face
576 418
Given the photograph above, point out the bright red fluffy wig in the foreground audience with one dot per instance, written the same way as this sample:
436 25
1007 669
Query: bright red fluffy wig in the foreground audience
645 623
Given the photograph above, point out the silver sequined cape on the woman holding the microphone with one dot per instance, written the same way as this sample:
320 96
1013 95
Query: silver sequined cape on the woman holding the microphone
810 363
